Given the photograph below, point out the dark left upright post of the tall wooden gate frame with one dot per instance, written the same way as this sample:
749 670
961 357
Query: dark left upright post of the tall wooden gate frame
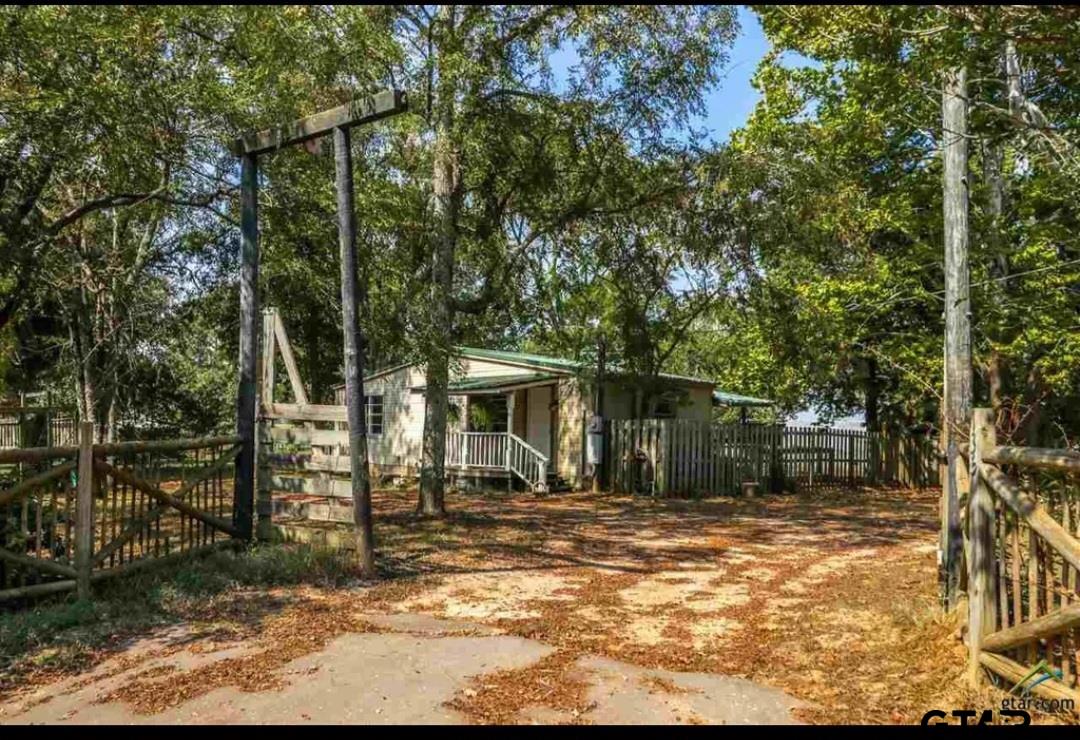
244 502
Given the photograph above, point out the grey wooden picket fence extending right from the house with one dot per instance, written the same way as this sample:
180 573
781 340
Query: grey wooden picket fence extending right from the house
678 458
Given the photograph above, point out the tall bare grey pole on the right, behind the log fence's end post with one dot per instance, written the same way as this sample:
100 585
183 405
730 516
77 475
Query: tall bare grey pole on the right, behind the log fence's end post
957 401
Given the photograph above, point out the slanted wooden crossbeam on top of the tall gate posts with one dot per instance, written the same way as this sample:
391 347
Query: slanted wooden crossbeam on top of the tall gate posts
359 111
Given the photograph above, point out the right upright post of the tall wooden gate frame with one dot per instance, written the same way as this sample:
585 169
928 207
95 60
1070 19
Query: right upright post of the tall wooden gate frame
354 355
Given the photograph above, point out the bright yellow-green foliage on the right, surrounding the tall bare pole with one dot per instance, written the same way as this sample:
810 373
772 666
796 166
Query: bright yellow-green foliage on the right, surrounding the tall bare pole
840 174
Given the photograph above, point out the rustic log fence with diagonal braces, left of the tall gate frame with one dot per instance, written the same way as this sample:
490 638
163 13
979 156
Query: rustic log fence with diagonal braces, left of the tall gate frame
71 516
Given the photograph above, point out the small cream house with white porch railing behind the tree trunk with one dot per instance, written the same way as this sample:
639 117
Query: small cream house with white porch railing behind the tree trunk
514 415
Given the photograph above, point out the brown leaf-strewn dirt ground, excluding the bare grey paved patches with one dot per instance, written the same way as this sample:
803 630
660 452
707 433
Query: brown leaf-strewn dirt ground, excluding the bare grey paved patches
830 599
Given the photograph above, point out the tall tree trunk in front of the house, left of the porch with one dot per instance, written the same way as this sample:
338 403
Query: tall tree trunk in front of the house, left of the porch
445 185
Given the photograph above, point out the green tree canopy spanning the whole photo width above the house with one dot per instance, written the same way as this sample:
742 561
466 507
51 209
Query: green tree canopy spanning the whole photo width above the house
547 190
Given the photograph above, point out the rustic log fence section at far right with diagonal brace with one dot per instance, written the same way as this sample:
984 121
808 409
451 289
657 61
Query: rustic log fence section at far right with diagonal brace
1024 566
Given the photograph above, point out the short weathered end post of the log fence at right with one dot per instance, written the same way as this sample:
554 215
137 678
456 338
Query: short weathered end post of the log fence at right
982 587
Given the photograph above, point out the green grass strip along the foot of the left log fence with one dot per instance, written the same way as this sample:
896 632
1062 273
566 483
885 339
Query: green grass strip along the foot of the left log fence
61 636
